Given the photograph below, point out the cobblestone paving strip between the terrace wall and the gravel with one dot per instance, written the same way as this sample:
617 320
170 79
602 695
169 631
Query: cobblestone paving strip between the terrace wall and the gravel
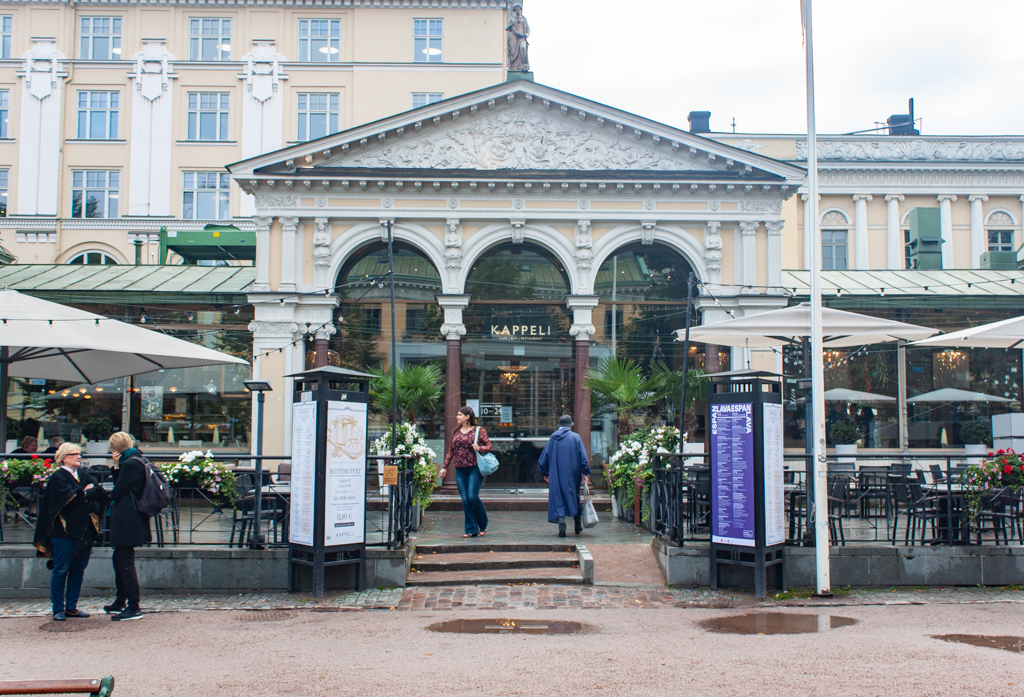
540 597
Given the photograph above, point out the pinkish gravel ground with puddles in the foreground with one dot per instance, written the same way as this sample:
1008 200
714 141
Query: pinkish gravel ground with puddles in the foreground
626 652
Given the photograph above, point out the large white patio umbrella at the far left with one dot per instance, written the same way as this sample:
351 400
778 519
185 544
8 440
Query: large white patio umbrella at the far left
40 339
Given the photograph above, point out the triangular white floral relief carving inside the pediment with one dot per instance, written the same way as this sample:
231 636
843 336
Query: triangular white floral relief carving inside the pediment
519 140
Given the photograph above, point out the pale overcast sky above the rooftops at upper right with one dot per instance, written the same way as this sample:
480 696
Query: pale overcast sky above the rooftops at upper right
962 62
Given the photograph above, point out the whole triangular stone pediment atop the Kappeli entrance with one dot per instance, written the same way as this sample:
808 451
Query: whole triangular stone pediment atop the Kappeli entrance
518 126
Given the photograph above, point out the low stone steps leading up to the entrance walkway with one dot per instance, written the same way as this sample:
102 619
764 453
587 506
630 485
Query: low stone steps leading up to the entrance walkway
478 563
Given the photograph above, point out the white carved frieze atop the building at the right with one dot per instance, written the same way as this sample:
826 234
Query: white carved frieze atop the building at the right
880 151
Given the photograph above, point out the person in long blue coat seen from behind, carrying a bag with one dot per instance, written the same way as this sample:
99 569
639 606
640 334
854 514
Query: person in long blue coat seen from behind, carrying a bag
565 466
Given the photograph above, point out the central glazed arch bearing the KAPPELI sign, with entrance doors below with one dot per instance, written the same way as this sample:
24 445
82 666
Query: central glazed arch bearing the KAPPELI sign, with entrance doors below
518 355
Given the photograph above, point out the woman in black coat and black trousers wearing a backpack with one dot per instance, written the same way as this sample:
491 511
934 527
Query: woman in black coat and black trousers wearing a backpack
130 529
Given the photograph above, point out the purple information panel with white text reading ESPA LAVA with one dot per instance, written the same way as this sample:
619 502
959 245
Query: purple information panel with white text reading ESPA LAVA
733 474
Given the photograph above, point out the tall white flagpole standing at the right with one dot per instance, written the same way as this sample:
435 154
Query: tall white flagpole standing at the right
824 581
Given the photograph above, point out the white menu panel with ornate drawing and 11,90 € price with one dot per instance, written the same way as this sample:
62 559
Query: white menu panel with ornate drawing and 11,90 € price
346 501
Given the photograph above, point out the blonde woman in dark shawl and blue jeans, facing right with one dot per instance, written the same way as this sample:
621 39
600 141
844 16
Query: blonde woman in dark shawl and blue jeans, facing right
67 529
